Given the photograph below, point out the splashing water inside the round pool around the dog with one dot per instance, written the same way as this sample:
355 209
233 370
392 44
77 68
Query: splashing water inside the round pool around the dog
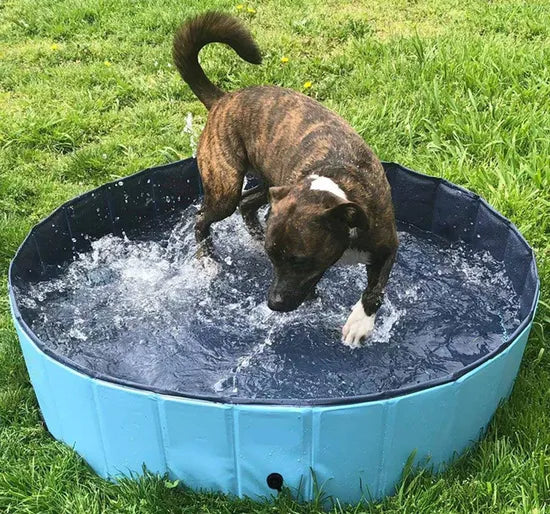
143 308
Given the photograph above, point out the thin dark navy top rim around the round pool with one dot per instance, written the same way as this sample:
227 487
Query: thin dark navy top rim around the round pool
304 402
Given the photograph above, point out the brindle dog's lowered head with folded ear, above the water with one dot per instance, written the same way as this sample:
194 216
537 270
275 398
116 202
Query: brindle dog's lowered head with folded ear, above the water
308 230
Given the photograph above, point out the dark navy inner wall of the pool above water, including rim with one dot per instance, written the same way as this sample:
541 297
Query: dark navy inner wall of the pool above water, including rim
429 203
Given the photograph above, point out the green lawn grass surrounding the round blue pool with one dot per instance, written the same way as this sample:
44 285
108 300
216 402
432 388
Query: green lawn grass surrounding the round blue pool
460 90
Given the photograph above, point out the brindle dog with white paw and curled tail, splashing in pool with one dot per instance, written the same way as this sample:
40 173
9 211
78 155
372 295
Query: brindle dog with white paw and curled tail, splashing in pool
327 190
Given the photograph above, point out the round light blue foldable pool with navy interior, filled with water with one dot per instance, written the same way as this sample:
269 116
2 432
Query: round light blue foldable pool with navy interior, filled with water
203 382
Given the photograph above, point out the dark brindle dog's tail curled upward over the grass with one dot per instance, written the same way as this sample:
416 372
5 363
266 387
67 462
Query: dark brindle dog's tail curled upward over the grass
210 27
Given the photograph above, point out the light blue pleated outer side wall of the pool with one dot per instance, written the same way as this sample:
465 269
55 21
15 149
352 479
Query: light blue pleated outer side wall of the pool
354 451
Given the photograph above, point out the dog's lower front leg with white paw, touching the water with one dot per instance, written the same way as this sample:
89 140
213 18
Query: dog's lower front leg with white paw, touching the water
360 322
